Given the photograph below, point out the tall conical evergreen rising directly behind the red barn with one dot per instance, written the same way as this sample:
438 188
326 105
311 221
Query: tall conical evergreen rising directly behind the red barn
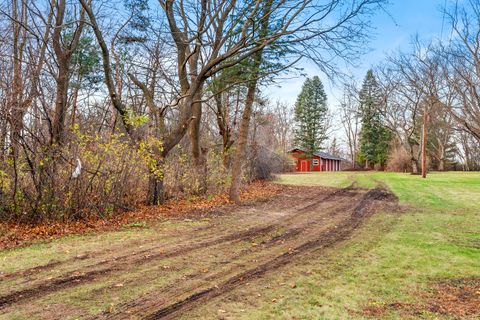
311 116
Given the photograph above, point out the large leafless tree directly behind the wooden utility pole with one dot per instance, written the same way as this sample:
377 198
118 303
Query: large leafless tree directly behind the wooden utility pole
416 96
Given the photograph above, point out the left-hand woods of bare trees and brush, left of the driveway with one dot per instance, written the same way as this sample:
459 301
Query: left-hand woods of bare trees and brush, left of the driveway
108 104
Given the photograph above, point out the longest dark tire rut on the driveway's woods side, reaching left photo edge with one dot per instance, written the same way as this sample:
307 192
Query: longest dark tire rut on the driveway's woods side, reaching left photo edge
80 277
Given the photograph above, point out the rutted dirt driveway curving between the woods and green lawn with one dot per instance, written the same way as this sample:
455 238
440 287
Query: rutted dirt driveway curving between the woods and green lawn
168 275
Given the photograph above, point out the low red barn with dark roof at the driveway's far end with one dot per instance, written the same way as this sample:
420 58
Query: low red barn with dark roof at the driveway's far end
321 161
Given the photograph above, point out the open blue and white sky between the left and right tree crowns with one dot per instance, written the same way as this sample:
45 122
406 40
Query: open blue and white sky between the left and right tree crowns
392 31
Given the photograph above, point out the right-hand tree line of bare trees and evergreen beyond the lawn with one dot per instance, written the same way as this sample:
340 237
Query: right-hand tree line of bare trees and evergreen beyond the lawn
424 99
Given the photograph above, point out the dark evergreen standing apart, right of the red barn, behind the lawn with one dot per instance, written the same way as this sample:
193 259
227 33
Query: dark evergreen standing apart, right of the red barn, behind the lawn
374 136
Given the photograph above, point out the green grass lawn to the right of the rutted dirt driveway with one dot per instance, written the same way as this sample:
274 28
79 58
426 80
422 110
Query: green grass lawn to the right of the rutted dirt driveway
395 259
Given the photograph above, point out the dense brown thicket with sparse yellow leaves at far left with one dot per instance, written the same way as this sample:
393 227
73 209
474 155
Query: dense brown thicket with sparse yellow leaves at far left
39 184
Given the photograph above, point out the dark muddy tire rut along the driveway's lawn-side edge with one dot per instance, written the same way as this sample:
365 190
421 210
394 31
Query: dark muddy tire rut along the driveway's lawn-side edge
328 238
